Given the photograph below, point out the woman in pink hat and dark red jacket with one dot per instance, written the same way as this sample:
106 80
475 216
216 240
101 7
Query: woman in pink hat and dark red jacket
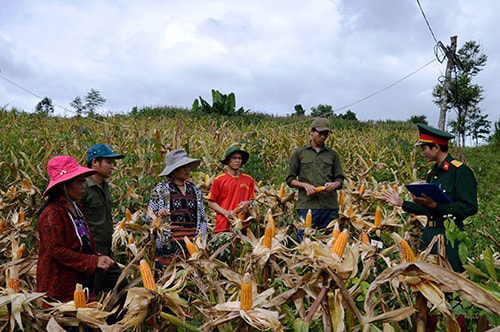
66 249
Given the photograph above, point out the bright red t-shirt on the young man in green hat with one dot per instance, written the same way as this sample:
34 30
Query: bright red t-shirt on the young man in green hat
228 191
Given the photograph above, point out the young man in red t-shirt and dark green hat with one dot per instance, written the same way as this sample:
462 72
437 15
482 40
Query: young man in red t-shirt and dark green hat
231 189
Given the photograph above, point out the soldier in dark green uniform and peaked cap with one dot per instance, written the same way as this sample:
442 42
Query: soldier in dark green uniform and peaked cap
455 178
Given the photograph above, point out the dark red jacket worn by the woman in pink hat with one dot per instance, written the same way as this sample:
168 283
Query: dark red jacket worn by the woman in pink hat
61 261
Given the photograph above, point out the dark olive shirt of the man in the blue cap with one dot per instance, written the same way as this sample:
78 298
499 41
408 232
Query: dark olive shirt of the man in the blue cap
97 203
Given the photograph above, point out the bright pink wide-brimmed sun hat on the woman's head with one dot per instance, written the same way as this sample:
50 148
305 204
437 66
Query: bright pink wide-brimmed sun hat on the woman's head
64 168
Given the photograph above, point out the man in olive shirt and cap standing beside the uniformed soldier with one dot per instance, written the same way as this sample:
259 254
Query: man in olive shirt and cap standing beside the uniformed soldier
314 165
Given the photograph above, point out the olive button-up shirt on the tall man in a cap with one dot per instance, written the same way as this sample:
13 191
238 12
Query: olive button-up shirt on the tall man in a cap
316 168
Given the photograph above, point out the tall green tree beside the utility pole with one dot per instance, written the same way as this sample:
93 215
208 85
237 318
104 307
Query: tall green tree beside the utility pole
464 96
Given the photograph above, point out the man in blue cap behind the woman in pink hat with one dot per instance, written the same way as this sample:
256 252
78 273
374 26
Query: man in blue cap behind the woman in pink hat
97 203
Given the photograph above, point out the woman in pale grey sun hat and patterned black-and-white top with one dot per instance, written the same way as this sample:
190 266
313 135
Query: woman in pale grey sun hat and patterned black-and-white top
179 202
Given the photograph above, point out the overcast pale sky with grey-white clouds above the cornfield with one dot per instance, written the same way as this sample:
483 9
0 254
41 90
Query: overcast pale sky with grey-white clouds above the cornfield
272 54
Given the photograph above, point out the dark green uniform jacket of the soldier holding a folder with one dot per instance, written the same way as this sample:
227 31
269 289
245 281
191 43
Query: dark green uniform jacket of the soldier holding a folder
458 181
